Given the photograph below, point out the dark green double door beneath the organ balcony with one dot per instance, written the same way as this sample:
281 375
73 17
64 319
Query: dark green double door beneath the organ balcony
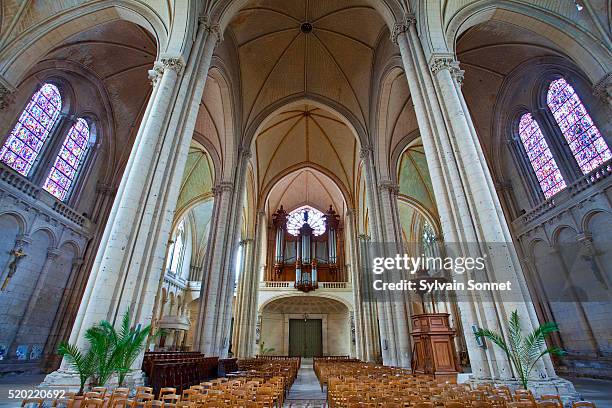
305 338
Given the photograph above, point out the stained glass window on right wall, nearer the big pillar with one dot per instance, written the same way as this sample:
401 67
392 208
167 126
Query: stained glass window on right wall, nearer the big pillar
541 158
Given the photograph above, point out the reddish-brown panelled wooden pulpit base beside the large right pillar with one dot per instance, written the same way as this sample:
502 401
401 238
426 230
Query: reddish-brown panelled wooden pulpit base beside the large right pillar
433 346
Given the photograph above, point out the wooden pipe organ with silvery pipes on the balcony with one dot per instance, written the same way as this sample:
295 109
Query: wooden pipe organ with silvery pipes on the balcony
306 247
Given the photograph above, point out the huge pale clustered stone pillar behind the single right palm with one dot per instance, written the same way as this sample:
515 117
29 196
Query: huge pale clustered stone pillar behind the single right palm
469 208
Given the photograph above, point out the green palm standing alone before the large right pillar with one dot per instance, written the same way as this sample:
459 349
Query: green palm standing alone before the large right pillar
523 351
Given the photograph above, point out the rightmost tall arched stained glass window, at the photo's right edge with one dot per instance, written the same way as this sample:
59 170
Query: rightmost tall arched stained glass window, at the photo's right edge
584 139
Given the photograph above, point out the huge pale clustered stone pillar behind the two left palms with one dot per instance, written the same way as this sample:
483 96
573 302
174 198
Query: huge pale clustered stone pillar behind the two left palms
130 258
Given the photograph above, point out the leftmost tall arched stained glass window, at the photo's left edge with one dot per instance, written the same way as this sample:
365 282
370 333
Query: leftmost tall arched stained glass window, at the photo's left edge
29 135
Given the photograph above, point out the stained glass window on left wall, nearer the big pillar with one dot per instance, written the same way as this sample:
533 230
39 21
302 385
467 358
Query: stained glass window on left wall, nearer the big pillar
69 160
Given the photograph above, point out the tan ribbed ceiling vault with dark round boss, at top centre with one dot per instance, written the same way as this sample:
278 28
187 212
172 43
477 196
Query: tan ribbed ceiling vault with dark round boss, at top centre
330 56
